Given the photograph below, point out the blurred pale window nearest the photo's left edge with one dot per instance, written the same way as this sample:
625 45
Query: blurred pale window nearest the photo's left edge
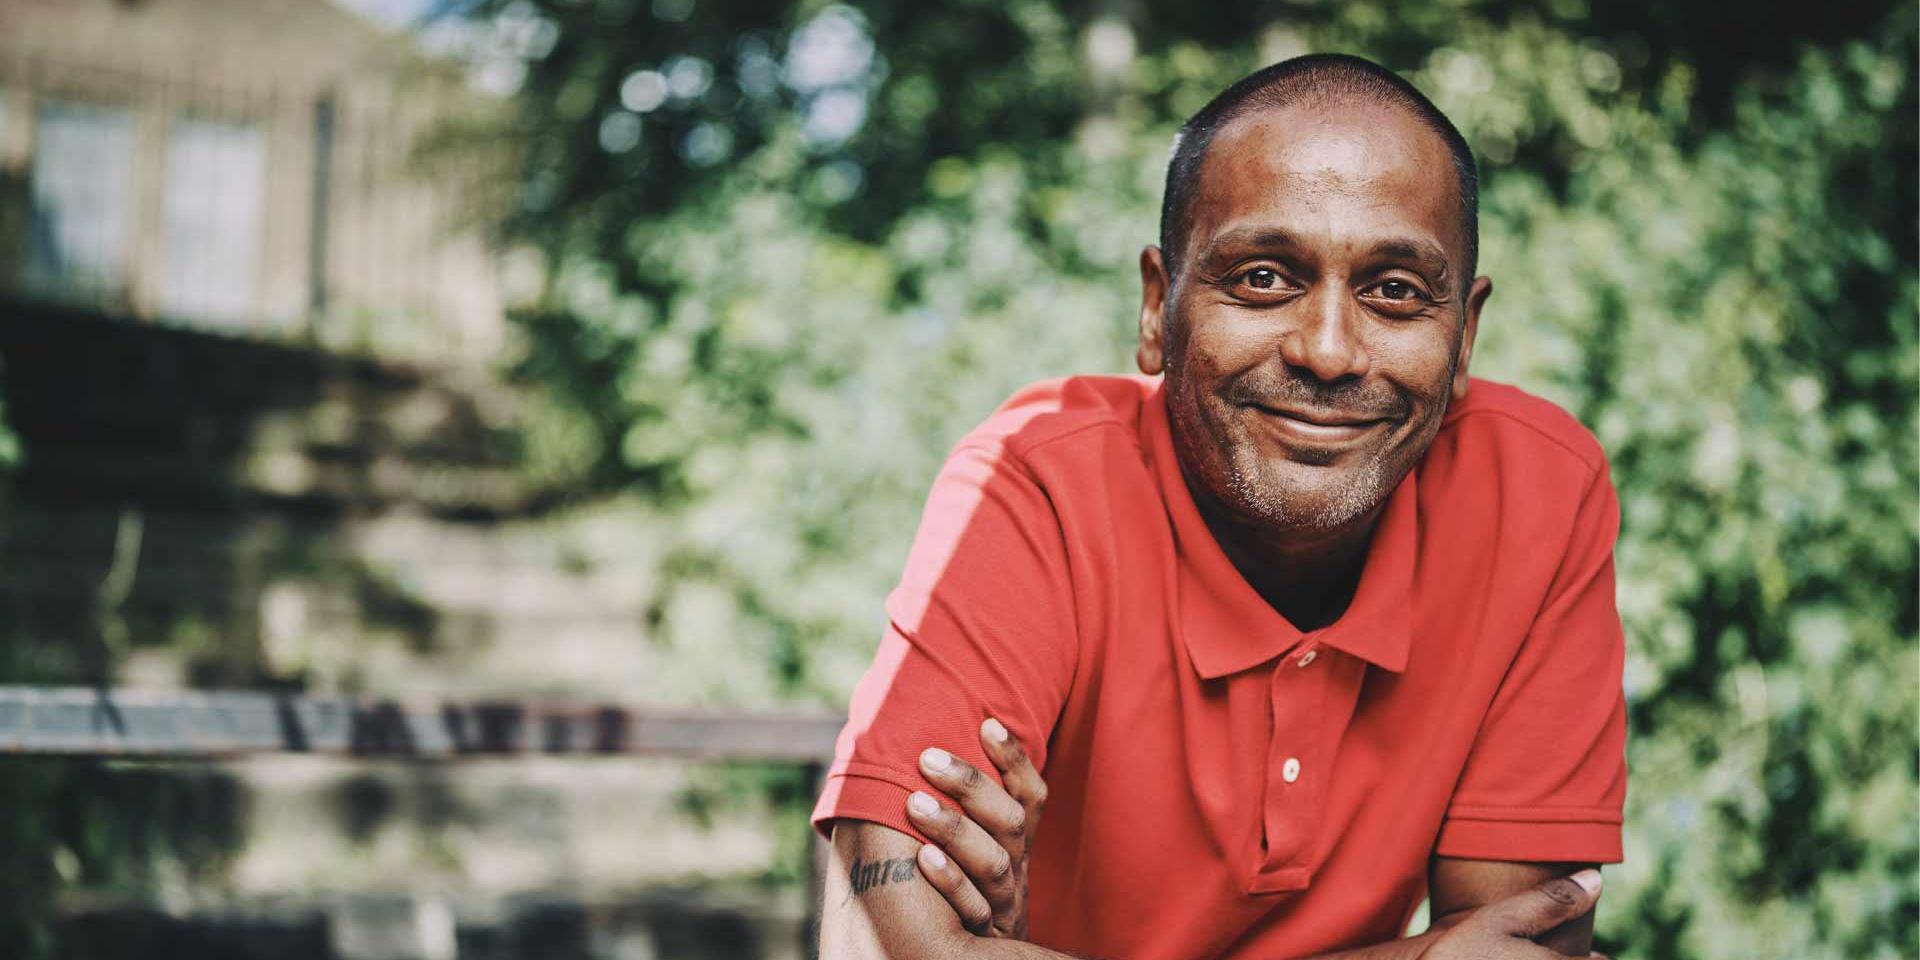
82 203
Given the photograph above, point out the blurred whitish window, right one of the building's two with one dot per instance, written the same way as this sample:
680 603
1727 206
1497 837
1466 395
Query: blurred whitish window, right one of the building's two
212 220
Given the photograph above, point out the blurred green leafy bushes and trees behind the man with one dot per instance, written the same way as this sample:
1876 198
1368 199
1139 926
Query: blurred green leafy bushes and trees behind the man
796 251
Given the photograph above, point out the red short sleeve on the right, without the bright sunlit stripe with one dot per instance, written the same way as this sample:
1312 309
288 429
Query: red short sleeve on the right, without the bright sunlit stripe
1547 779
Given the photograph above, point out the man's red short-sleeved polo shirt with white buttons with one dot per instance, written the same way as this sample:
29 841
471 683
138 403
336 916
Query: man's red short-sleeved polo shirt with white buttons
1224 786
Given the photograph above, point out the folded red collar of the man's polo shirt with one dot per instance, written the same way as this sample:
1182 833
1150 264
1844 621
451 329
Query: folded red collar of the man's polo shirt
1228 627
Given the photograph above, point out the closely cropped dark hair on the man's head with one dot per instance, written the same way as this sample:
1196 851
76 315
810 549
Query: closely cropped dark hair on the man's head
1314 76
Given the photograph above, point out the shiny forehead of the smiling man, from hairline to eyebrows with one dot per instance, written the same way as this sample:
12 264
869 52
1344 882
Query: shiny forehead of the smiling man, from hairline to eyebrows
1341 174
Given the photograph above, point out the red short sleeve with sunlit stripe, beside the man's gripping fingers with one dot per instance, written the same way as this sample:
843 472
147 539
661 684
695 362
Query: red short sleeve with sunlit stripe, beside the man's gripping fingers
982 625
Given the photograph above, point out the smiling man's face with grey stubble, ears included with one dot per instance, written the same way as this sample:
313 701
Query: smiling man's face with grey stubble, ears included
1320 320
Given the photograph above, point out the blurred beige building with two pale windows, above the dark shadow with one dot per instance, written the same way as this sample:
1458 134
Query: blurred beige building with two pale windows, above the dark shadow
245 166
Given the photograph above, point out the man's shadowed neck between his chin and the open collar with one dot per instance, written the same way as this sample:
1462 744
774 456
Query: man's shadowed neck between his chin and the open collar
1307 575
